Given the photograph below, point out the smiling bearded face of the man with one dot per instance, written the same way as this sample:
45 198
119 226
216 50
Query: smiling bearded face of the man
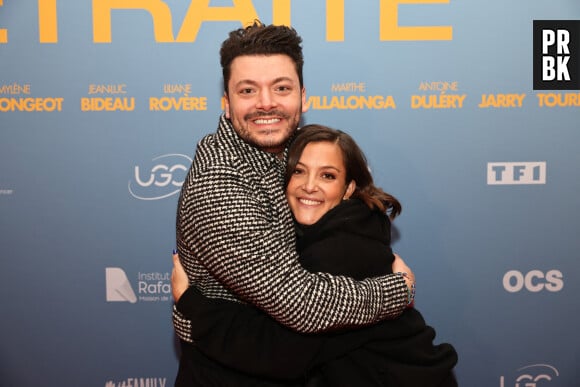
264 100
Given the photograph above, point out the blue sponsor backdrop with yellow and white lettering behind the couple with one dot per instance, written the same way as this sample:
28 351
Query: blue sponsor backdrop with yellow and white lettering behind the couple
468 111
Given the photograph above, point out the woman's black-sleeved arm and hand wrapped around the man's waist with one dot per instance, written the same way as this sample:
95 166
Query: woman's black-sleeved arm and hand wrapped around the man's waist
243 337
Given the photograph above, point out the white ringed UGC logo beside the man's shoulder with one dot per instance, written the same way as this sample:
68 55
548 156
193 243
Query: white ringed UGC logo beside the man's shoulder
161 178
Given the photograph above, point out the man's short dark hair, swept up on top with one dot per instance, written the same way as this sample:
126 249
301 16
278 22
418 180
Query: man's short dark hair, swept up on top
260 39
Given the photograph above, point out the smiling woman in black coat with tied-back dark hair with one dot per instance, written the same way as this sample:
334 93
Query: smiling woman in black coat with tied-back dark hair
343 228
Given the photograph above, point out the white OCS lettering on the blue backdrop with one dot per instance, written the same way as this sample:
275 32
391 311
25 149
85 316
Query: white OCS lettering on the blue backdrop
533 281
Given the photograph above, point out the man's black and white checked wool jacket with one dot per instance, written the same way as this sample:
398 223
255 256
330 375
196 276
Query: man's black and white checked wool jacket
236 240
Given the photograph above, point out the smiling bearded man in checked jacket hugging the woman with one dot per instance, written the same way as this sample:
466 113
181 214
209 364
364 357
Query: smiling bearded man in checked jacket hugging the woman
235 233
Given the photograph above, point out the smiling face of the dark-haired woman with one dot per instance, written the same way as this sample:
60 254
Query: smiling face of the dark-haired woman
318 182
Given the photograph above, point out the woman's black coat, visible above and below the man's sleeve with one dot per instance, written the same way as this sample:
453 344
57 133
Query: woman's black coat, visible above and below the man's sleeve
249 348
